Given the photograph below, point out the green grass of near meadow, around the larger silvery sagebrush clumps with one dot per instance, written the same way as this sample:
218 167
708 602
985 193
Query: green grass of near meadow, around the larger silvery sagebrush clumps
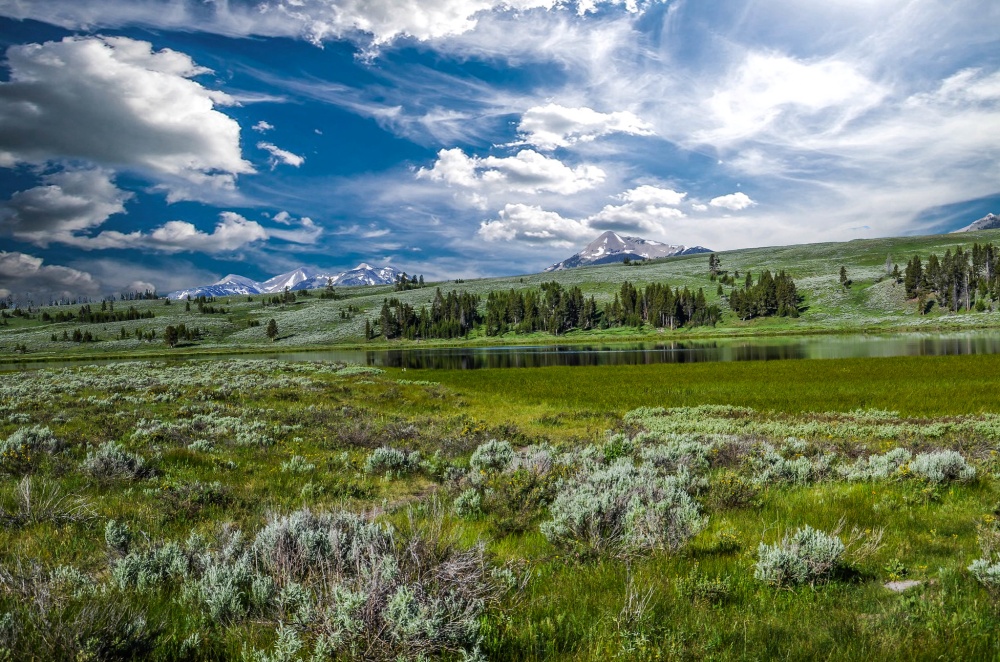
570 608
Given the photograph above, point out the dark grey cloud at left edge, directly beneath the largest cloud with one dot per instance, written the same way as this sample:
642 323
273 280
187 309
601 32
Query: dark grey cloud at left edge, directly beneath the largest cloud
67 203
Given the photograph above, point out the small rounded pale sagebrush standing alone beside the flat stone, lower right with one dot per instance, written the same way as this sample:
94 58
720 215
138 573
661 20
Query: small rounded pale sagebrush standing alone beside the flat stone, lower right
807 556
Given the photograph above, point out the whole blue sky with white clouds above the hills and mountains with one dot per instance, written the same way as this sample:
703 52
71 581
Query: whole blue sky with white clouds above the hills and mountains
166 143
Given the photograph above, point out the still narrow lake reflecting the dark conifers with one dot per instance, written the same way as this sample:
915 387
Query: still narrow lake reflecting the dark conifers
694 351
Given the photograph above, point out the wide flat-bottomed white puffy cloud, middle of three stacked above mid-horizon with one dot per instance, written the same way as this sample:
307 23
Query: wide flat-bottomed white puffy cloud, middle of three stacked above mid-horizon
525 172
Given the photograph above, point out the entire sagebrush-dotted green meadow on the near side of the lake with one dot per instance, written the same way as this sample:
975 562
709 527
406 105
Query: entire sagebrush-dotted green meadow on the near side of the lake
265 510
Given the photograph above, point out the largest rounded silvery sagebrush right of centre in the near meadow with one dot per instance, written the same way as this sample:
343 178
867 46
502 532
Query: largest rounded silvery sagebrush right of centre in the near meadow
622 510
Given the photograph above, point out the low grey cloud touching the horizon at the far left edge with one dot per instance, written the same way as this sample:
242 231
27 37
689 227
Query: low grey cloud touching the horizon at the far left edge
23 274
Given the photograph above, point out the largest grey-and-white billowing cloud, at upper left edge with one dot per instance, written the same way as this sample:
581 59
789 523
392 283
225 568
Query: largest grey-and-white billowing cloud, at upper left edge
116 102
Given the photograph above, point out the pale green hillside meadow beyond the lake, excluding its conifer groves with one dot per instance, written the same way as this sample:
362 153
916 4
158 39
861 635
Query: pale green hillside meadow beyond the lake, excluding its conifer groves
873 303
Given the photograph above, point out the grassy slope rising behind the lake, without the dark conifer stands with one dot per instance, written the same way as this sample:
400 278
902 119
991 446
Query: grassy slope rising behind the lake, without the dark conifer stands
871 304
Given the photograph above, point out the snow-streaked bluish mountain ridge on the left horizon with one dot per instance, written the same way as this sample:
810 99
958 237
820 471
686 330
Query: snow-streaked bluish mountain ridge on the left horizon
302 278
